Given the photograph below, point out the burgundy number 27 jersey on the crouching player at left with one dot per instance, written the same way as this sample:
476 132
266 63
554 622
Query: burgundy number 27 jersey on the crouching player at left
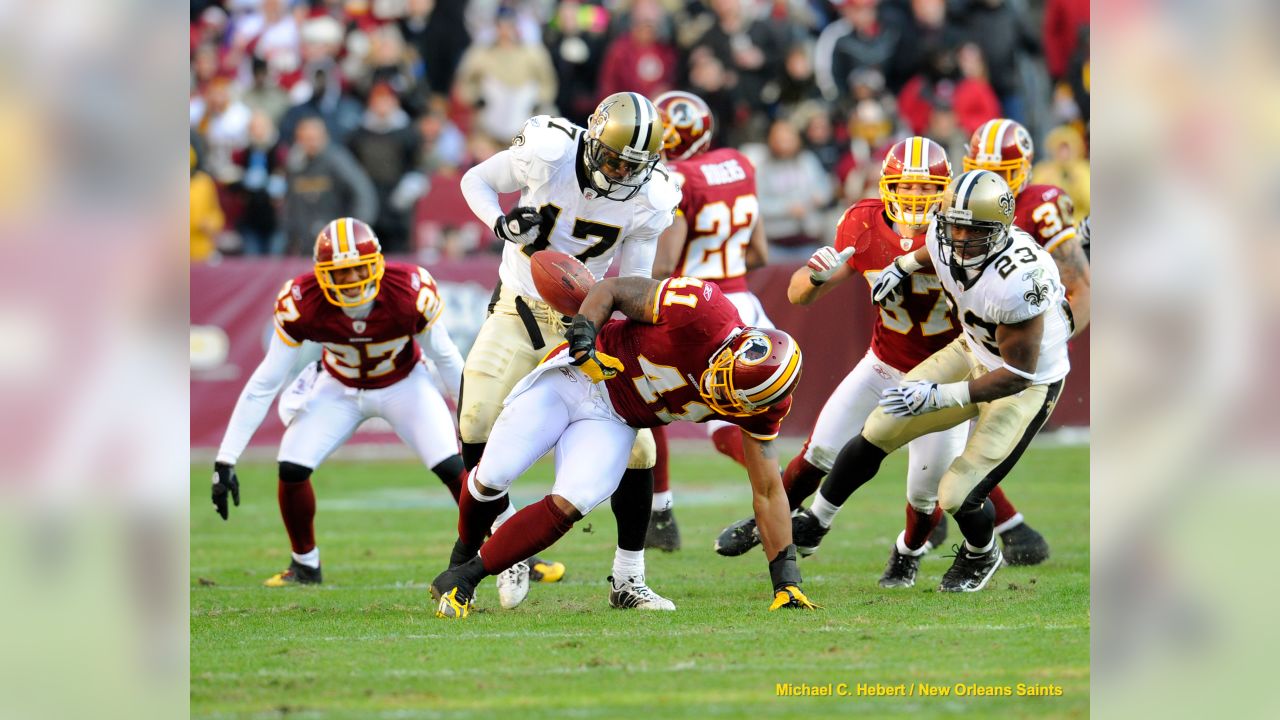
373 352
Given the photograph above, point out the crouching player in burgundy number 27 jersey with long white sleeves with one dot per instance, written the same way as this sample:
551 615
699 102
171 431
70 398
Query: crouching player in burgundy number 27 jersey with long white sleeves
376 321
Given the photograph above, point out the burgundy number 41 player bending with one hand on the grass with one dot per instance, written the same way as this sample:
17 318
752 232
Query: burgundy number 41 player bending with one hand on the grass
683 354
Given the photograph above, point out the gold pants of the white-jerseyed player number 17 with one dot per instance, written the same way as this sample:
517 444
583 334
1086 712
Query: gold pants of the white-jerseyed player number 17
504 354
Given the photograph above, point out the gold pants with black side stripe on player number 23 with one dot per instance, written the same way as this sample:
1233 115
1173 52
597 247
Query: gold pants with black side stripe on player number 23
1003 431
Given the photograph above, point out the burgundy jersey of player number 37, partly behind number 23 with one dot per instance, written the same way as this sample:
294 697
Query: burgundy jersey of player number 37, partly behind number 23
920 322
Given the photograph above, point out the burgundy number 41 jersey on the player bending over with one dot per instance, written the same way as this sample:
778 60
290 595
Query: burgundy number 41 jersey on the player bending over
665 361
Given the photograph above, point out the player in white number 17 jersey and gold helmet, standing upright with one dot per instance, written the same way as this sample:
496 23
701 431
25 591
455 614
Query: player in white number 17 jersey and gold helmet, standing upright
595 194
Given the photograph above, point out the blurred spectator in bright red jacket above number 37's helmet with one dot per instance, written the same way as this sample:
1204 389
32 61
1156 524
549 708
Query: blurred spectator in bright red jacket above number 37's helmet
943 83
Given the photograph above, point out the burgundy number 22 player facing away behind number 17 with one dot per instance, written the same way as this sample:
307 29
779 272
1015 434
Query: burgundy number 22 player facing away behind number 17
716 236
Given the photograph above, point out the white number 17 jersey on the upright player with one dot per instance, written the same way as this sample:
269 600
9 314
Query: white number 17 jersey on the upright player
546 161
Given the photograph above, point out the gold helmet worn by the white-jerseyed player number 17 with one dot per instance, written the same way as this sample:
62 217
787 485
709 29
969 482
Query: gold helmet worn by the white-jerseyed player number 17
624 144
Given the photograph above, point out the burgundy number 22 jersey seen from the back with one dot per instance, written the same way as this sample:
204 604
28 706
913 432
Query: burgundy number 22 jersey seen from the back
721 208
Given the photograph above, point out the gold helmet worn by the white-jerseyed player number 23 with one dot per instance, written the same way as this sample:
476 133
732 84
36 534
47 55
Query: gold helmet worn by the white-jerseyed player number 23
973 224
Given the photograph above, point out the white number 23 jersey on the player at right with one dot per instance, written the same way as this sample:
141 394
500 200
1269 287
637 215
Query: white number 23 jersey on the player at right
1022 282
